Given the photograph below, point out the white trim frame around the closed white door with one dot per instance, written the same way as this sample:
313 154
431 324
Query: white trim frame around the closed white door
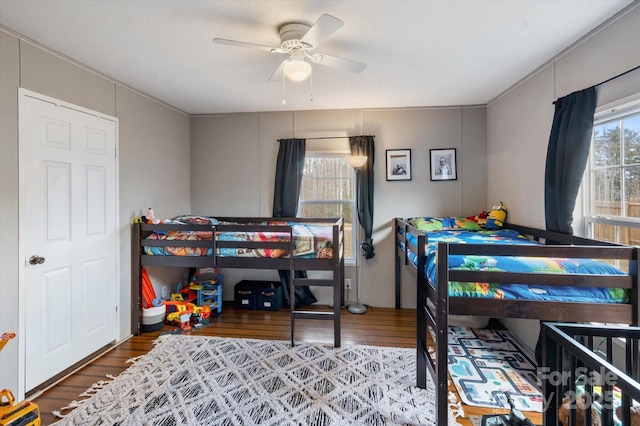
22 256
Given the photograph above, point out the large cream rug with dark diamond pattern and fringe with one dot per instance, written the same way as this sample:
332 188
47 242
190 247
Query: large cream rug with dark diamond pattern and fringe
193 380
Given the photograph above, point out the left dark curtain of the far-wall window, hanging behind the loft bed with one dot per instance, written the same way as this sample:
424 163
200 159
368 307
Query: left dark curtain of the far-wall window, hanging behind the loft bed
285 204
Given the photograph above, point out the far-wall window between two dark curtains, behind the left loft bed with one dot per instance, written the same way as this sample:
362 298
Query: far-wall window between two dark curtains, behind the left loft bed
328 190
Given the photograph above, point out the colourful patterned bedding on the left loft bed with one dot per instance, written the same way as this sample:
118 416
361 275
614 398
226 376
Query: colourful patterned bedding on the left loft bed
310 240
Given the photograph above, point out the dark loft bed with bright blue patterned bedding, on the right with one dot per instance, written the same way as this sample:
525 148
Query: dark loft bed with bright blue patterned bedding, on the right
462 269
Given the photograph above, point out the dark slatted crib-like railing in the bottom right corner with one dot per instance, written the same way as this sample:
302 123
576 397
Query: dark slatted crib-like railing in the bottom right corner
600 366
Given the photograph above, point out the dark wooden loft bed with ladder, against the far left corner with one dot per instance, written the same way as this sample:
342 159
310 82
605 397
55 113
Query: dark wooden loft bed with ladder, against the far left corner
317 244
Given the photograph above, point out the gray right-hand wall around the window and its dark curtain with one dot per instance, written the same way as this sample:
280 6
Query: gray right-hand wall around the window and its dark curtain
519 123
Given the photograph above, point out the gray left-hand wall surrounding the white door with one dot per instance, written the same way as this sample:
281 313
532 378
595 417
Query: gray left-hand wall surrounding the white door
152 138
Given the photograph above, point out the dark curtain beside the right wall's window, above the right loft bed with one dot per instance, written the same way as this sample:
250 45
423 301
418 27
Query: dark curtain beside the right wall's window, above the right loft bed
567 155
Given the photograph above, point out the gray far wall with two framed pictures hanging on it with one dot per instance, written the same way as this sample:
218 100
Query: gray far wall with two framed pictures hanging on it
234 157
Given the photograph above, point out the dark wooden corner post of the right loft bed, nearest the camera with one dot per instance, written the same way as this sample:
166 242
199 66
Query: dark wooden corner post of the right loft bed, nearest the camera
442 320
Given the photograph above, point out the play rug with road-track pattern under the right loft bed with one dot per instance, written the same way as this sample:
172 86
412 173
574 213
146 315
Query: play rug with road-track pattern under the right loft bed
483 364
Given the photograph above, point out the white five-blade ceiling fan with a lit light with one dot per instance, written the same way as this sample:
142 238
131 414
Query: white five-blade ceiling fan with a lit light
298 42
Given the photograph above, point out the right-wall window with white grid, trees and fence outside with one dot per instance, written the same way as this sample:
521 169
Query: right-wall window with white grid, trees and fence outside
613 206
